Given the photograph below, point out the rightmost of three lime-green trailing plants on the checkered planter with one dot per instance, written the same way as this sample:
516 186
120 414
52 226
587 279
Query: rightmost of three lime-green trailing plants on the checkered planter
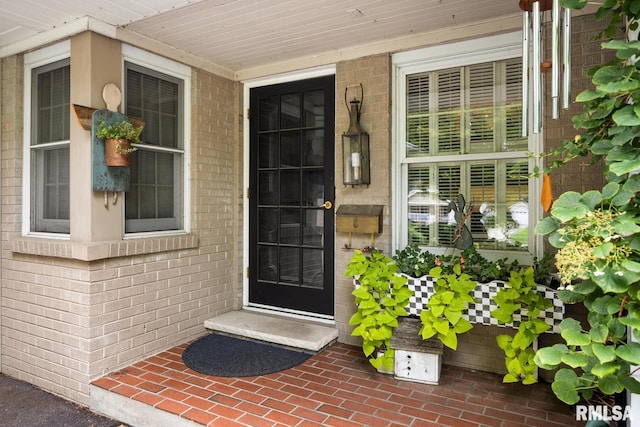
521 295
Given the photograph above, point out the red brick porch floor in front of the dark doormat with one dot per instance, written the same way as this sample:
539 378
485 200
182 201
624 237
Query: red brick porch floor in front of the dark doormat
335 388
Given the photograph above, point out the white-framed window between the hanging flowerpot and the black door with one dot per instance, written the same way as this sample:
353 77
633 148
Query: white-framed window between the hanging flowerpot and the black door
156 198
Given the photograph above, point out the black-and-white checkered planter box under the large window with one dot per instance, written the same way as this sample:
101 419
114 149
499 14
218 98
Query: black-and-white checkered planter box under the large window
480 312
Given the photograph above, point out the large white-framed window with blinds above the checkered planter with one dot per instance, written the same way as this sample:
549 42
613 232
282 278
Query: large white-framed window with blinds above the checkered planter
460 124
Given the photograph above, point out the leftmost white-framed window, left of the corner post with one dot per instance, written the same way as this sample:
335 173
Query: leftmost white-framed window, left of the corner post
47 95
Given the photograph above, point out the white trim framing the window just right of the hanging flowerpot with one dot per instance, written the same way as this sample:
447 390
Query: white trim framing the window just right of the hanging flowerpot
183 72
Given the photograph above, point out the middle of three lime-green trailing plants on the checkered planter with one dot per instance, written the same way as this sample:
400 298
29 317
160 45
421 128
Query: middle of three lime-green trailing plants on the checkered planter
443 316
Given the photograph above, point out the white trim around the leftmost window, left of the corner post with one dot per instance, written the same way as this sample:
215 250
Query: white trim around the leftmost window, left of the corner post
34 60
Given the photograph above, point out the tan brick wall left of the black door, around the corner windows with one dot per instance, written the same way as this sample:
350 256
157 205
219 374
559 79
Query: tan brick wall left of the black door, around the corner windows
66 321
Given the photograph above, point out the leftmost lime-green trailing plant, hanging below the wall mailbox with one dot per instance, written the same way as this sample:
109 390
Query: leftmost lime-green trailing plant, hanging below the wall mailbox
381 297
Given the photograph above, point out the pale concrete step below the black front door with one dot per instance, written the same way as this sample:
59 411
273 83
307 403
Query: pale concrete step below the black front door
296 333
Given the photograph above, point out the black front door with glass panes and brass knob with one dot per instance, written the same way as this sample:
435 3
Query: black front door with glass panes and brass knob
291 221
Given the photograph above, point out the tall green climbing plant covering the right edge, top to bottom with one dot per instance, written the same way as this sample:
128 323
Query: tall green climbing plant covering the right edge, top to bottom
598 233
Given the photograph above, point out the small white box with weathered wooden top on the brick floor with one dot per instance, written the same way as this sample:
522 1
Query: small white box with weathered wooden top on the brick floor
415 359
